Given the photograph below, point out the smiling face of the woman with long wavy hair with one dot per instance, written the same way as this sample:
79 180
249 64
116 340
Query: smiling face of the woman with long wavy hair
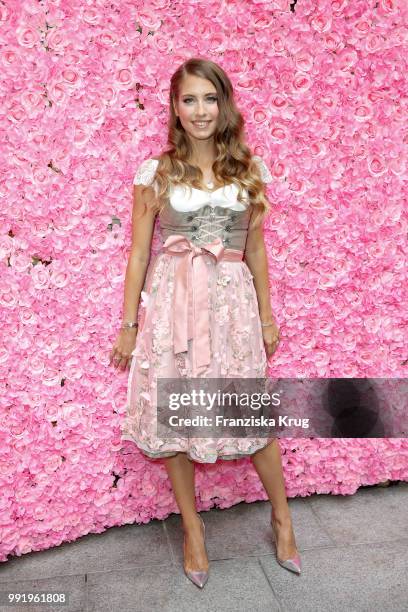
197 102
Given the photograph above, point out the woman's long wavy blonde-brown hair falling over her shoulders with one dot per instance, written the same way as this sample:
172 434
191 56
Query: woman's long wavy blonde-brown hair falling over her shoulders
233 163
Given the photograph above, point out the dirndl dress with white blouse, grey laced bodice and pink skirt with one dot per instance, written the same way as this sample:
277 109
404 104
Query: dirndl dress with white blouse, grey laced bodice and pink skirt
198 316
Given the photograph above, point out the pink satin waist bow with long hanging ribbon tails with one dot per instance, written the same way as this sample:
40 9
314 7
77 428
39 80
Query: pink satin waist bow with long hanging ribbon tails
190 300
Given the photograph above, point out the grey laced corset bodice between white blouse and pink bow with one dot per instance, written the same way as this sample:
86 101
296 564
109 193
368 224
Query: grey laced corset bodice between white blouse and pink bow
207 223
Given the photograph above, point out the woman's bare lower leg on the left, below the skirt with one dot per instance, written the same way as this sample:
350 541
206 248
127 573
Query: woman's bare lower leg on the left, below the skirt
181 473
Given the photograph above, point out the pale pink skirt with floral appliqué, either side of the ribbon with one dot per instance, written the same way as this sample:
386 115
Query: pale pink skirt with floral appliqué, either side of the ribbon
237 350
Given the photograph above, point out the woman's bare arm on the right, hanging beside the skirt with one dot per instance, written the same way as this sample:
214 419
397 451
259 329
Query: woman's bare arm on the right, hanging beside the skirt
257 262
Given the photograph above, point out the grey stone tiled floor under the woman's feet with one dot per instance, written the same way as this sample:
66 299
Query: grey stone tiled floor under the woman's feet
354 552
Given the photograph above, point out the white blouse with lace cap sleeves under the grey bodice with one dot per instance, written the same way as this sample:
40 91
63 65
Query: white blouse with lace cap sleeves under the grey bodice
184 200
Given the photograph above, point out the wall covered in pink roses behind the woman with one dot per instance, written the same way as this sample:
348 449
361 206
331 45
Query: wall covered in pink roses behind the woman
84 90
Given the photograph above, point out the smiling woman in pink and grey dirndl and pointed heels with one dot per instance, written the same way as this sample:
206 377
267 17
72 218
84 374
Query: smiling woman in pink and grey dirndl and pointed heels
209 193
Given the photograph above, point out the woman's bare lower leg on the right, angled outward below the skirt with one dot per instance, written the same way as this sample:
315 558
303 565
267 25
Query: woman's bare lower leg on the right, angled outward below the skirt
267 462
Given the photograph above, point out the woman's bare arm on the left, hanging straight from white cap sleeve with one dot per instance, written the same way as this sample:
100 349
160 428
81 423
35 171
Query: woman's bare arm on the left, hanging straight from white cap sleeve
143 220
